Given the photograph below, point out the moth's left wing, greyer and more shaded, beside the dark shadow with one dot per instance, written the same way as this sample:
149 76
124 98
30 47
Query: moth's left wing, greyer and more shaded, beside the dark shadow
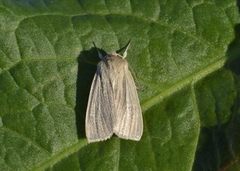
99 121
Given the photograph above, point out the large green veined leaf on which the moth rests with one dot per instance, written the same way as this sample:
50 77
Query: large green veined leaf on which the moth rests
47 62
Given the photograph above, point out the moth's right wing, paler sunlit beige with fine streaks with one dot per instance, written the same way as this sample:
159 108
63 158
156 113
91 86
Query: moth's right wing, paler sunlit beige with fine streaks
129 122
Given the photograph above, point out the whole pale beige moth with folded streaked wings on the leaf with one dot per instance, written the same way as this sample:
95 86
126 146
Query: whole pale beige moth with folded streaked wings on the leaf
113 104
